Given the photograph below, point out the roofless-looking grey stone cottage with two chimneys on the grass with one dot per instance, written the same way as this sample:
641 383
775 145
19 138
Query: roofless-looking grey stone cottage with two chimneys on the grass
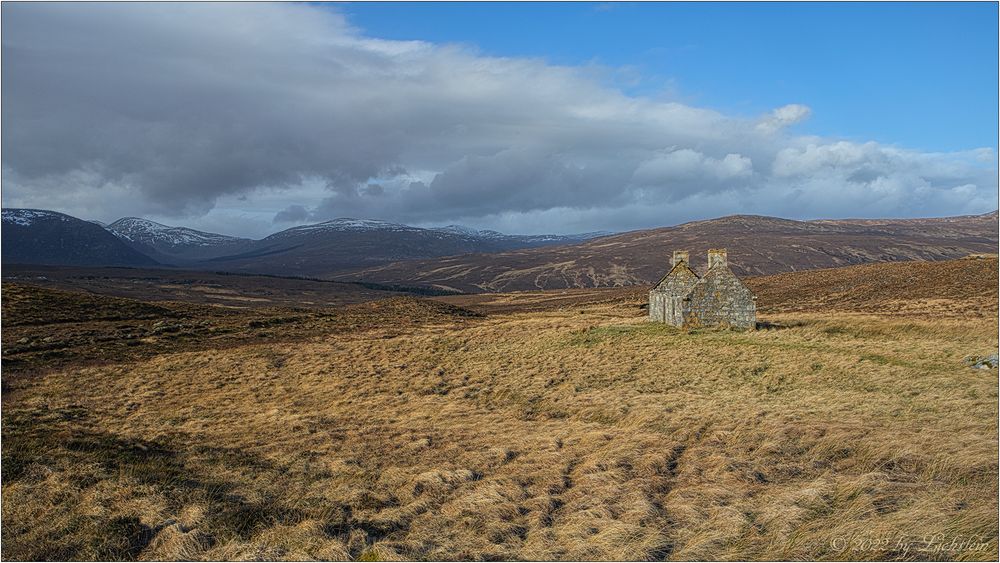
717 299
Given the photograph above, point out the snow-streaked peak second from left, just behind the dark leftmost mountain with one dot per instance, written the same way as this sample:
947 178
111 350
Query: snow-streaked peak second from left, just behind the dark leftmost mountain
181 243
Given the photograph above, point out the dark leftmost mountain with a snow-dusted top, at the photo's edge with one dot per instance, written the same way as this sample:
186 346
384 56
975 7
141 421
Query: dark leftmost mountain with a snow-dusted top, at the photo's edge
37 236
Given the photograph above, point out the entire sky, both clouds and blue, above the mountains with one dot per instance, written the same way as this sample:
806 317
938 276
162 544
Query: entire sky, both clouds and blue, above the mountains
247 119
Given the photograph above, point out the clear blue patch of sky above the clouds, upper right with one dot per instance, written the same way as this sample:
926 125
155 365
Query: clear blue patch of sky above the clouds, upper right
920 75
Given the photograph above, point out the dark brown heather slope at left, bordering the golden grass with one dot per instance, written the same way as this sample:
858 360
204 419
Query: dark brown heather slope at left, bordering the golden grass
49 329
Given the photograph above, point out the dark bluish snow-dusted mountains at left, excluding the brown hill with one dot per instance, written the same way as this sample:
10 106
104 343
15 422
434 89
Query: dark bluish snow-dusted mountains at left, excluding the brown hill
309 250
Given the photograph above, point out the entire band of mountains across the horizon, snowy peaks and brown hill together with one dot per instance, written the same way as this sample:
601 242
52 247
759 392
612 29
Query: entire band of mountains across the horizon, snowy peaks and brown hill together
470 260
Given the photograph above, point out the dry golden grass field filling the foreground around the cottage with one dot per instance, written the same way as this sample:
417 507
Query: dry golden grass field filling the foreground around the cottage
573 434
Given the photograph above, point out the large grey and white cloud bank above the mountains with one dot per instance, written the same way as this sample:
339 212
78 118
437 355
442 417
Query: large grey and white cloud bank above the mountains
247 116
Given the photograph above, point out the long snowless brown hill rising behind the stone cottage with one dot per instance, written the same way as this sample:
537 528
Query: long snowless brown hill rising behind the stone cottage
757 246
